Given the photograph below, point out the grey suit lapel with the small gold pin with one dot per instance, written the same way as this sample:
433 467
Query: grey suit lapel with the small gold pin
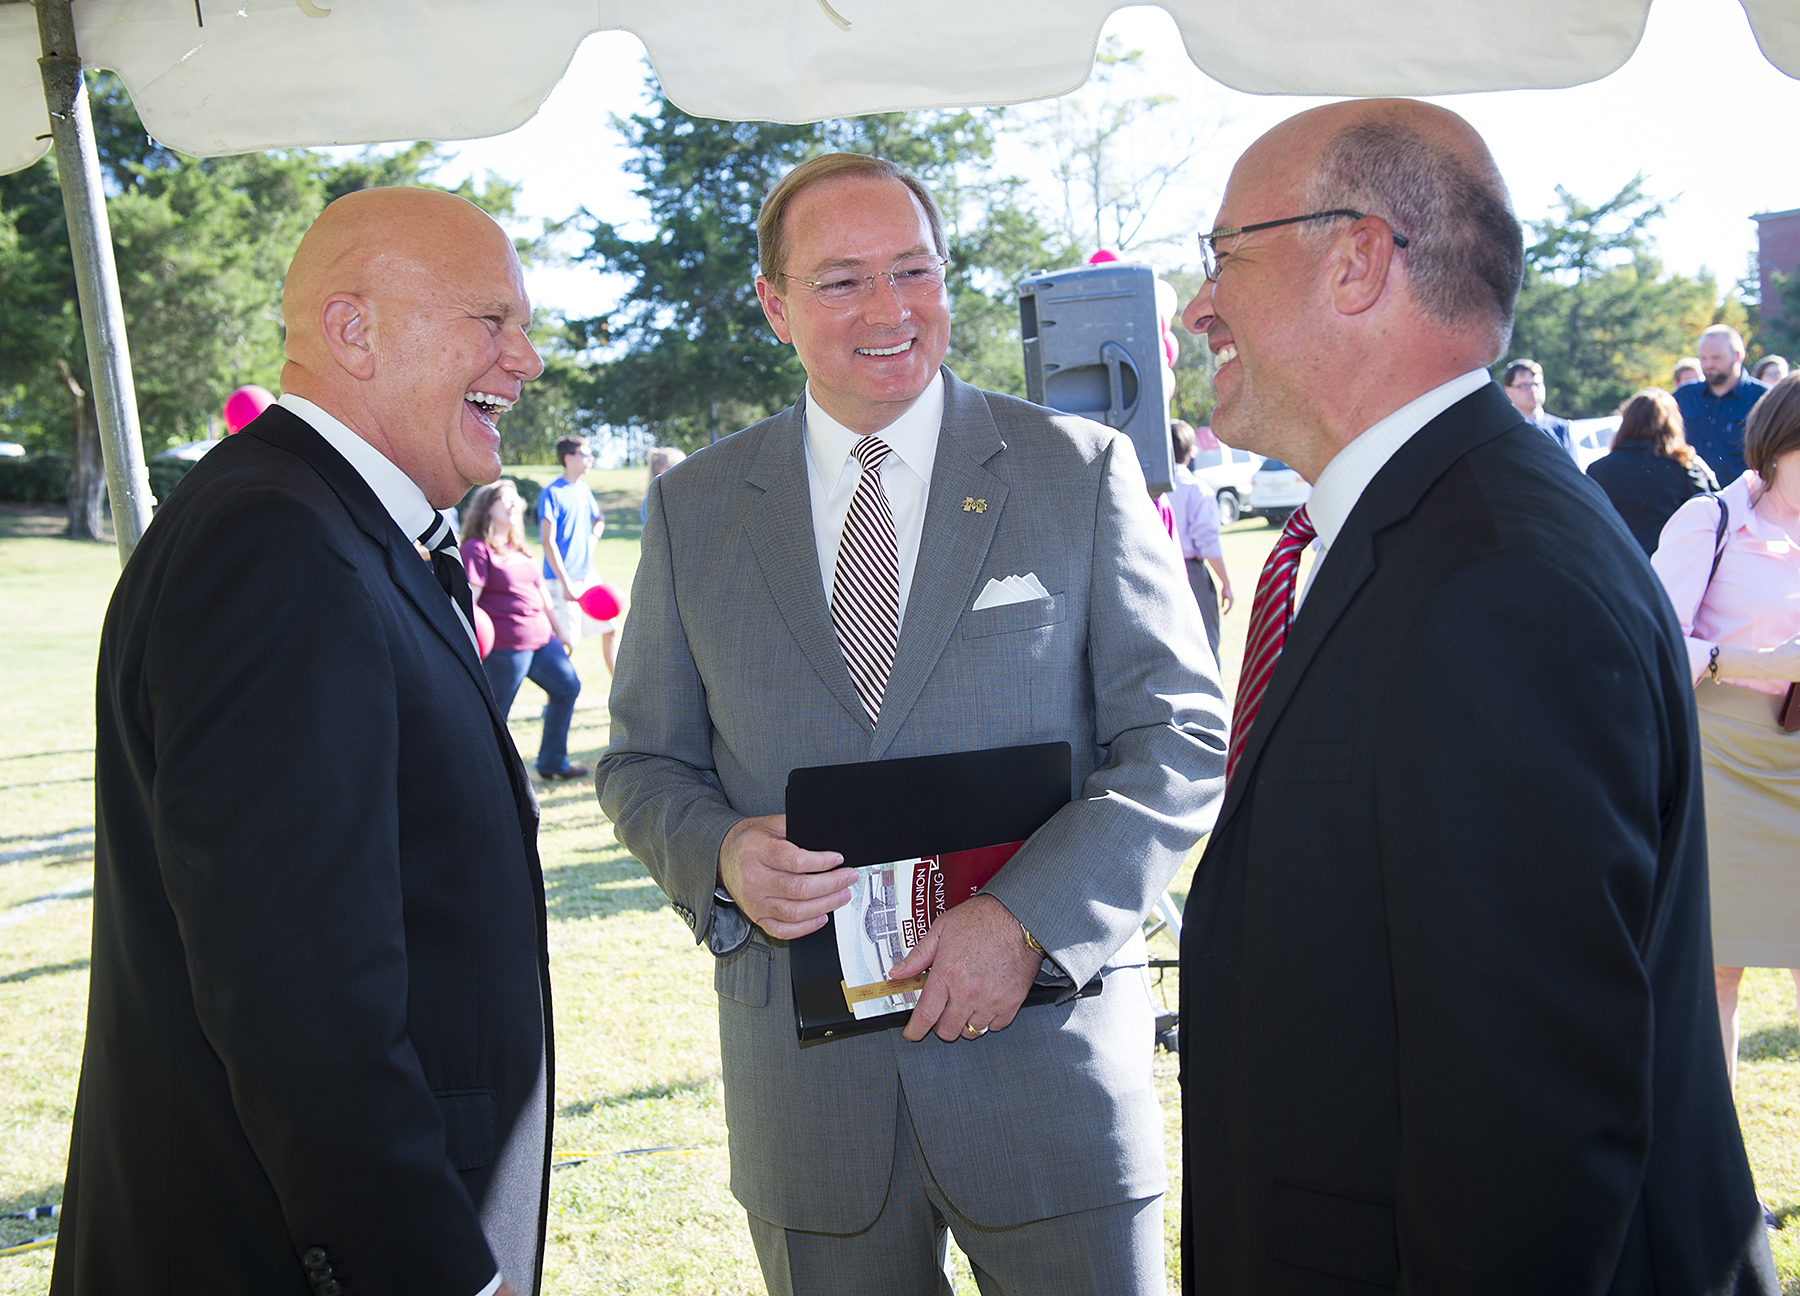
951 552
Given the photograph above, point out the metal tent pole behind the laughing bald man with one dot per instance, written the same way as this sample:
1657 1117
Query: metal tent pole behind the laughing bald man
78 168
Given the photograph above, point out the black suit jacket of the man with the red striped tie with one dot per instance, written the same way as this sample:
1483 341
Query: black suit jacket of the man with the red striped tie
1448 1018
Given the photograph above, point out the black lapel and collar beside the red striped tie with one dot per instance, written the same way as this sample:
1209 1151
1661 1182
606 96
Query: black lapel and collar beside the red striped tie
1389 499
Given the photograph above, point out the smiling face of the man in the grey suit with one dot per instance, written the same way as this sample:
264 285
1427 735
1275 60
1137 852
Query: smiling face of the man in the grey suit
870 361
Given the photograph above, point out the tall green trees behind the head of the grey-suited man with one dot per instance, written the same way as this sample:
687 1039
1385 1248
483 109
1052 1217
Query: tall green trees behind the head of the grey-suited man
694 357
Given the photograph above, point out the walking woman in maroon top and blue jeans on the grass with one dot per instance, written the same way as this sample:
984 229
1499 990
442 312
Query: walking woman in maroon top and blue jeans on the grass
526 640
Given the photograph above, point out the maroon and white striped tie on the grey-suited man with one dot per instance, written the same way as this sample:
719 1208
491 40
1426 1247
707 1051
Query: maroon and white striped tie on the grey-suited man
867 586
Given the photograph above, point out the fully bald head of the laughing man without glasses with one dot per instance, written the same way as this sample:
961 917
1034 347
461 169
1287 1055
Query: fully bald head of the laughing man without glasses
406 314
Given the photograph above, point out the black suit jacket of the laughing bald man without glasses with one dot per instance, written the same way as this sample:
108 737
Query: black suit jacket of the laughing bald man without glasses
319 1011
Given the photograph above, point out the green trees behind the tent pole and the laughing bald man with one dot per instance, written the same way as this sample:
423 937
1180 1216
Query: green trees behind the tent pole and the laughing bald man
201 246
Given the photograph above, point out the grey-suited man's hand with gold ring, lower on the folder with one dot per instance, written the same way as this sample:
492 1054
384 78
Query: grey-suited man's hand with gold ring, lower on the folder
980 971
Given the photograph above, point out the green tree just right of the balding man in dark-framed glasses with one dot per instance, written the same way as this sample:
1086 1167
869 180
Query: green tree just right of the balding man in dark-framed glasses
1597 310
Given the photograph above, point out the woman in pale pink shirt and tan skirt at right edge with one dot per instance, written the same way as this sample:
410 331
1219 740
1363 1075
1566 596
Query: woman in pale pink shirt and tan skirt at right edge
1743 640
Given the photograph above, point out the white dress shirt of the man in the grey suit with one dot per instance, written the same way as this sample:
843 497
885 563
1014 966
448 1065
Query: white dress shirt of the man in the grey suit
832 474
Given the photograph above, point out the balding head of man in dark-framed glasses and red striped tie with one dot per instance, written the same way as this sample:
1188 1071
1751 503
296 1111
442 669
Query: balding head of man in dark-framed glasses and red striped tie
1389 265
